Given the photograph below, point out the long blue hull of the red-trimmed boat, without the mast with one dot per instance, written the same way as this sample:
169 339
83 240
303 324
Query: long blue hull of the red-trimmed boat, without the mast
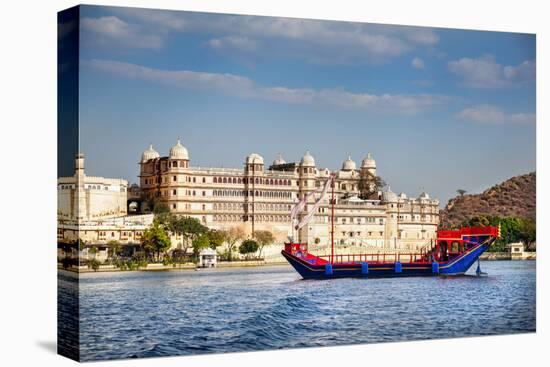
456 266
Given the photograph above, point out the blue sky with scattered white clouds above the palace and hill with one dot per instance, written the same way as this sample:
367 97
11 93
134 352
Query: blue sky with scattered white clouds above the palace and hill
439 109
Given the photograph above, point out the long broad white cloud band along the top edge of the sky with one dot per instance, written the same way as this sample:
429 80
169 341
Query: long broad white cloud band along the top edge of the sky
313 40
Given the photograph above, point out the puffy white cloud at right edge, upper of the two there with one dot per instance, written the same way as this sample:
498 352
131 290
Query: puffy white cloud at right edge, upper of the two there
485 72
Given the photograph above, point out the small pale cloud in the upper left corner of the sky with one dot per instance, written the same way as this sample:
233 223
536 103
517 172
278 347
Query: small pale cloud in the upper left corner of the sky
111 31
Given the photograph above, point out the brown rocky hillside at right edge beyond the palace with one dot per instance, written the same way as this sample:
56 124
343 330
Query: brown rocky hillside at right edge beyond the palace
515 197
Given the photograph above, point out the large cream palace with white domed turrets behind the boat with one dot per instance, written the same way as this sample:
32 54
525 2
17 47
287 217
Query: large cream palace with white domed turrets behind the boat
260 197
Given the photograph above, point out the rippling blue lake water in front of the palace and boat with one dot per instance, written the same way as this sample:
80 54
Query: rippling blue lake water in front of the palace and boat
146 314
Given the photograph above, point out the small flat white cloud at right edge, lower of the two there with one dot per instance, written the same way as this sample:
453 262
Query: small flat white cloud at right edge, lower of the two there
489 114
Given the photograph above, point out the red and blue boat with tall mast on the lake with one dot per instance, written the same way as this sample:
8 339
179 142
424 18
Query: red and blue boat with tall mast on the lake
451 253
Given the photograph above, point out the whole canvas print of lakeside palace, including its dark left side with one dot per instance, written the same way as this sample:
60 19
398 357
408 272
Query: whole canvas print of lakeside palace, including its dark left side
232 183
